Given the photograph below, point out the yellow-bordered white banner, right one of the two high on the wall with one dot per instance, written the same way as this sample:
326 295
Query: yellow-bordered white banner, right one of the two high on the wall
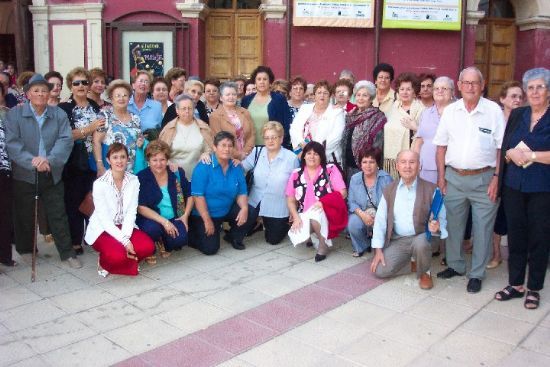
422 14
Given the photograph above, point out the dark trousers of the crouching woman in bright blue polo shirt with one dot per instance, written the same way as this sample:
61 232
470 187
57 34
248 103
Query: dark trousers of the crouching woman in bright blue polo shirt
209 245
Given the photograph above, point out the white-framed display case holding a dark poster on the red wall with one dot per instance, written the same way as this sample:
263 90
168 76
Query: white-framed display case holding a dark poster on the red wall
147 50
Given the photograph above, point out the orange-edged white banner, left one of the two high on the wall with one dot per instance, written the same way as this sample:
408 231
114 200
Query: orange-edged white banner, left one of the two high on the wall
334 13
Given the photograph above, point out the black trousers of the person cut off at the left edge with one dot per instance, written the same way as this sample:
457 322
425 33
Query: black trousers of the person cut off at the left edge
6 223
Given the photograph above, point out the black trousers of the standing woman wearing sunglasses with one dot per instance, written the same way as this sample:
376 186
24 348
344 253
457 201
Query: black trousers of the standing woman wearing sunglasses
77 184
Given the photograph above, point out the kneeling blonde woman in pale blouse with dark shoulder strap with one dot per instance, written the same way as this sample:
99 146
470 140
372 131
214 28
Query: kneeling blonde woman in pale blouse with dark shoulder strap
272 168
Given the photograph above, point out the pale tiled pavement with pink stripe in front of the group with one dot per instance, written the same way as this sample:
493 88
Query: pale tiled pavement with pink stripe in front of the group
265 306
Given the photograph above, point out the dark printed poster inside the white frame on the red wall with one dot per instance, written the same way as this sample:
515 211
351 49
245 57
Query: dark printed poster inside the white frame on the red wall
147 56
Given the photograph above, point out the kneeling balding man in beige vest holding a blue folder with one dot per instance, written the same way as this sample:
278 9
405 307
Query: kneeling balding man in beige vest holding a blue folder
400 223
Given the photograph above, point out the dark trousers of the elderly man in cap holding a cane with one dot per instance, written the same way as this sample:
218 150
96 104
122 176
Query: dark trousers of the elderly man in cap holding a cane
52 196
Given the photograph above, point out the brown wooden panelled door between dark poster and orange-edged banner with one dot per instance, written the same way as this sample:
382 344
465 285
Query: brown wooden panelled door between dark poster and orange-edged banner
233 38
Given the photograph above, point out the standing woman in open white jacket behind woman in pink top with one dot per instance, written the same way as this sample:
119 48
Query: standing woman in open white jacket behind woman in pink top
320 122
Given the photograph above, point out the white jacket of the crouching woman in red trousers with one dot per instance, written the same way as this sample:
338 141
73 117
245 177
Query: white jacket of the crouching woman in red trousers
105 203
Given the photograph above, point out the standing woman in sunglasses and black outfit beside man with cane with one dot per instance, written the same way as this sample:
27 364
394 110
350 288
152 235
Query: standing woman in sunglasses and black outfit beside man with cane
78 176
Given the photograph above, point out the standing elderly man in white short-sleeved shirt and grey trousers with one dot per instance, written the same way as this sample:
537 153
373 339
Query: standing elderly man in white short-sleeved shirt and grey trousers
468 142
